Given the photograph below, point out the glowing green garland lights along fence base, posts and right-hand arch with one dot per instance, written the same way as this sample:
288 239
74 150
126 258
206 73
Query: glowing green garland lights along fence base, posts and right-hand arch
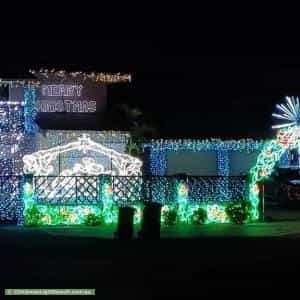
181 210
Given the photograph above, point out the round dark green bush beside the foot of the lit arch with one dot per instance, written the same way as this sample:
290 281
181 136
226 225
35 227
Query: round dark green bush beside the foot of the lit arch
239 212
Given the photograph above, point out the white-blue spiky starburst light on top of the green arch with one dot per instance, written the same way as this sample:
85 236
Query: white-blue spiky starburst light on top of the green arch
289 112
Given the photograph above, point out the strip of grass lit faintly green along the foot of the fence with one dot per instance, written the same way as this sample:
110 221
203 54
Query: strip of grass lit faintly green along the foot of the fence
273 229
